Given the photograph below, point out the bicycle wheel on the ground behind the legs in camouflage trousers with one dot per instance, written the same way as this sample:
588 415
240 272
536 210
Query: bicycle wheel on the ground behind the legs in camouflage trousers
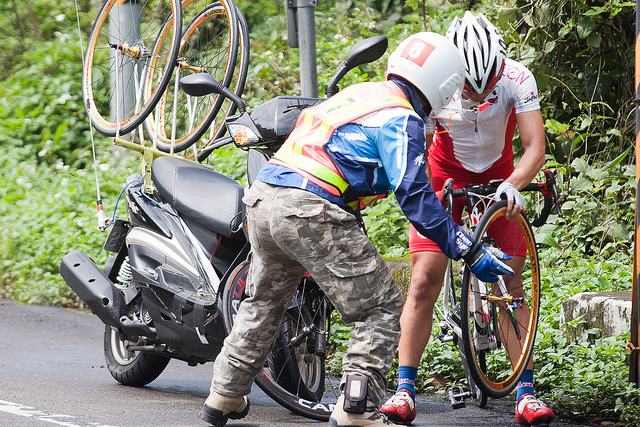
294 374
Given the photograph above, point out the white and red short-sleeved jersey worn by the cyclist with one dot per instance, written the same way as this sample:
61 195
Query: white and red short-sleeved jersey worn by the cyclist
477 140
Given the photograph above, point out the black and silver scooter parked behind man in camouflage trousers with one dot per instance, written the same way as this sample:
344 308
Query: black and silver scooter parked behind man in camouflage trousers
178 264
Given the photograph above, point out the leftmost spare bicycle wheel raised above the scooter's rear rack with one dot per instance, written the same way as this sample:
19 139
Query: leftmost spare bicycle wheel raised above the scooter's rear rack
117 55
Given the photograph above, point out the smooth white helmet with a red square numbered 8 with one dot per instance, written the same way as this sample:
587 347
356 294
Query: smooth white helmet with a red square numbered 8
432 64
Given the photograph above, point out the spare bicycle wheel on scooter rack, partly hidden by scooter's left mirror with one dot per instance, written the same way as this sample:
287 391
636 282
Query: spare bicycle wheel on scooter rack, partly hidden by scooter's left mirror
208 44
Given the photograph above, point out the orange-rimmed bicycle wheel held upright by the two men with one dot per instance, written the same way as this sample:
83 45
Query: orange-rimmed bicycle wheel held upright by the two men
499 321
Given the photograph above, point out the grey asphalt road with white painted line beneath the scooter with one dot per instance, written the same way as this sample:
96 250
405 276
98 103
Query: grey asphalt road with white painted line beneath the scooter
52 372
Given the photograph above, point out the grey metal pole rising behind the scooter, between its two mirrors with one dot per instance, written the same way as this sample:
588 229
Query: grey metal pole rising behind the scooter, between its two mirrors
301 32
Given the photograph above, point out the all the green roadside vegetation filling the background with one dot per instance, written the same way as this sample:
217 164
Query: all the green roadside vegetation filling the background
581 54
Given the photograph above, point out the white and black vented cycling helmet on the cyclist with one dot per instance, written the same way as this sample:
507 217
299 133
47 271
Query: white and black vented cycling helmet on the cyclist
483 49
